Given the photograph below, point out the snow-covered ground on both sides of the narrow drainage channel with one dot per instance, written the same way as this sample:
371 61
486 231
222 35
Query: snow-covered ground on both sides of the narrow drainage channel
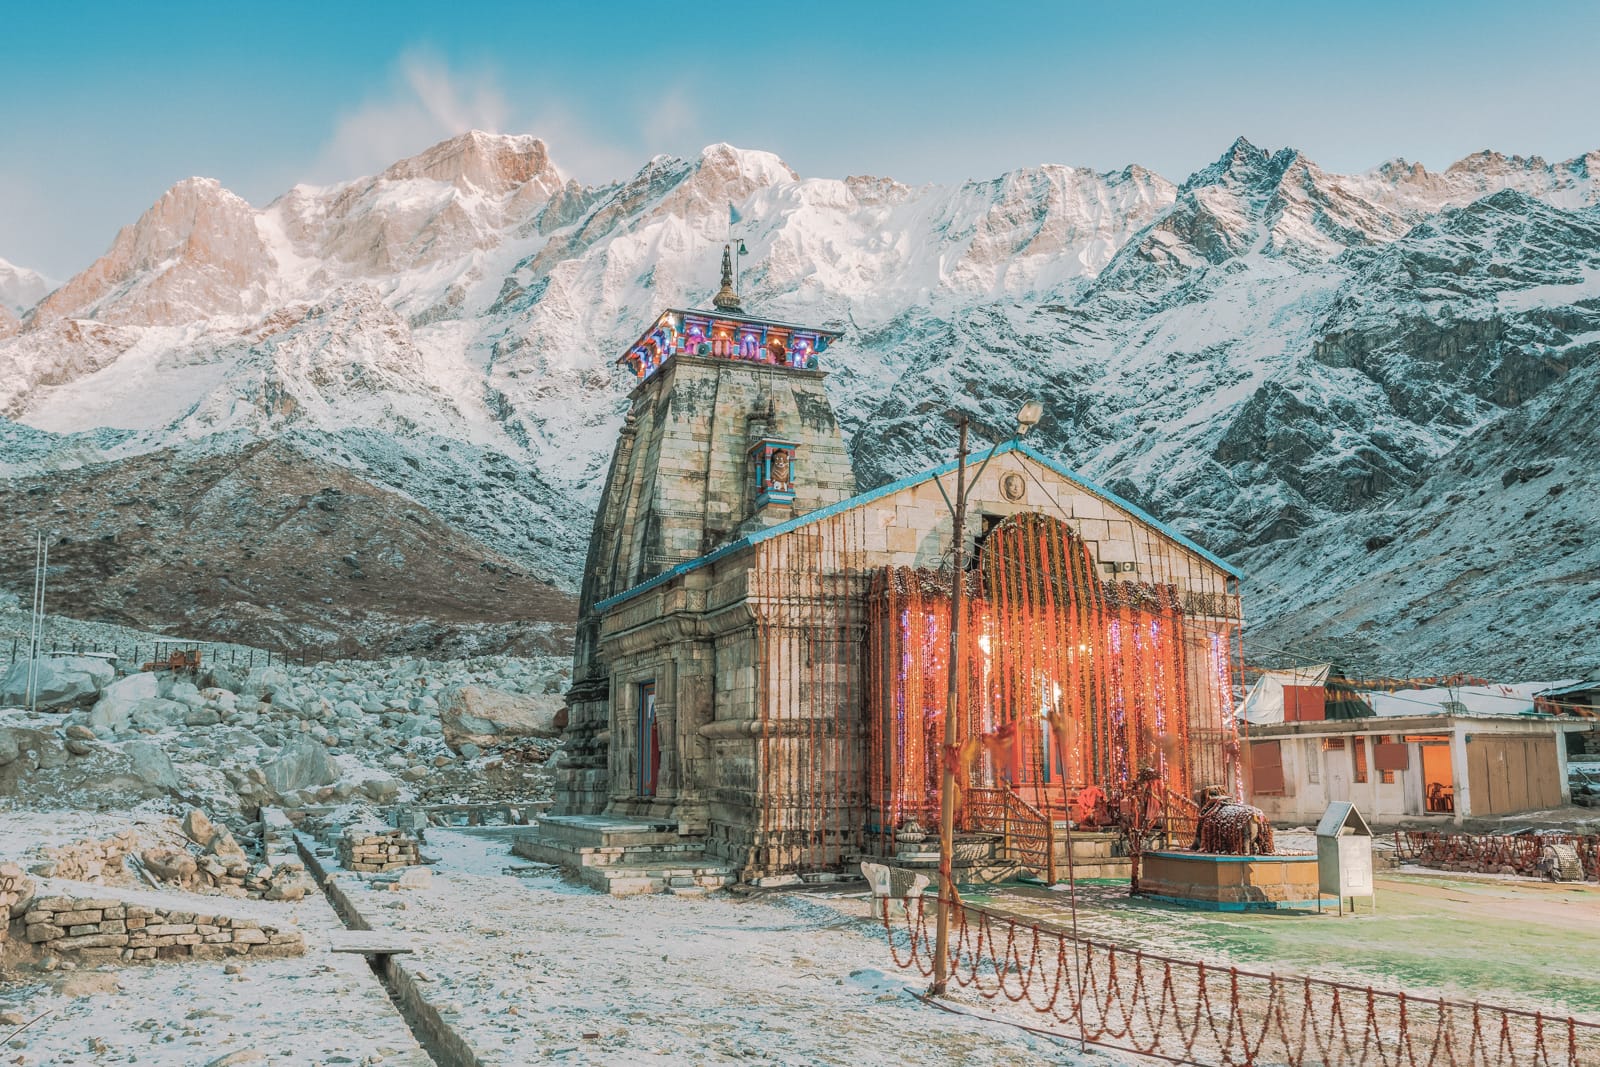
526 969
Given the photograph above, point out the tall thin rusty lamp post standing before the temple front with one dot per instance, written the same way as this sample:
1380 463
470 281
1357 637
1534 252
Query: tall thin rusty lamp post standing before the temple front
1026 420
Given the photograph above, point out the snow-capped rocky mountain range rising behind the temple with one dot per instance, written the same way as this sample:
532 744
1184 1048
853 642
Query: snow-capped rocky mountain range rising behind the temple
1265 353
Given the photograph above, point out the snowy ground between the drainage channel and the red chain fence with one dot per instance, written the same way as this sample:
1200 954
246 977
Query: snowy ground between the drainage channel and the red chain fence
529 967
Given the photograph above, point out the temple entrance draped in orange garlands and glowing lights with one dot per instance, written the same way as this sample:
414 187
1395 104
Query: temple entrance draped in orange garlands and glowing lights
1073 684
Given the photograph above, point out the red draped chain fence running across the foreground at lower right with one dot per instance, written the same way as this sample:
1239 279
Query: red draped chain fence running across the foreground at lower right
1188 1012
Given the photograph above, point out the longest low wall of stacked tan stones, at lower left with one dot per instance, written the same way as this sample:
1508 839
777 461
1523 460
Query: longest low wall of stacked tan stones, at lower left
110 929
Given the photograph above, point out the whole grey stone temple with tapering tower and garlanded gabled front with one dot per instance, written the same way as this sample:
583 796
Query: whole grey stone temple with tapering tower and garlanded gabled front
759 685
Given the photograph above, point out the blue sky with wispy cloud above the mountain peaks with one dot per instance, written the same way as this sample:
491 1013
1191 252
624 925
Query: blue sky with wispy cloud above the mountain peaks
105 106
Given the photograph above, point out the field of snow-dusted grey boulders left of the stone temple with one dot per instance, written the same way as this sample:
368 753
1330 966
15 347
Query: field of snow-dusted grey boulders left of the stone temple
295 737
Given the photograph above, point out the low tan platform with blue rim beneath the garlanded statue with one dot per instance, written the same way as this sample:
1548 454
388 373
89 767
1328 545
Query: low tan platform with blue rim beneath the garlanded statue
1231 884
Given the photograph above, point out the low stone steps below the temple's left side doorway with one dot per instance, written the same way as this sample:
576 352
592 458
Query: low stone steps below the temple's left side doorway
625 857
